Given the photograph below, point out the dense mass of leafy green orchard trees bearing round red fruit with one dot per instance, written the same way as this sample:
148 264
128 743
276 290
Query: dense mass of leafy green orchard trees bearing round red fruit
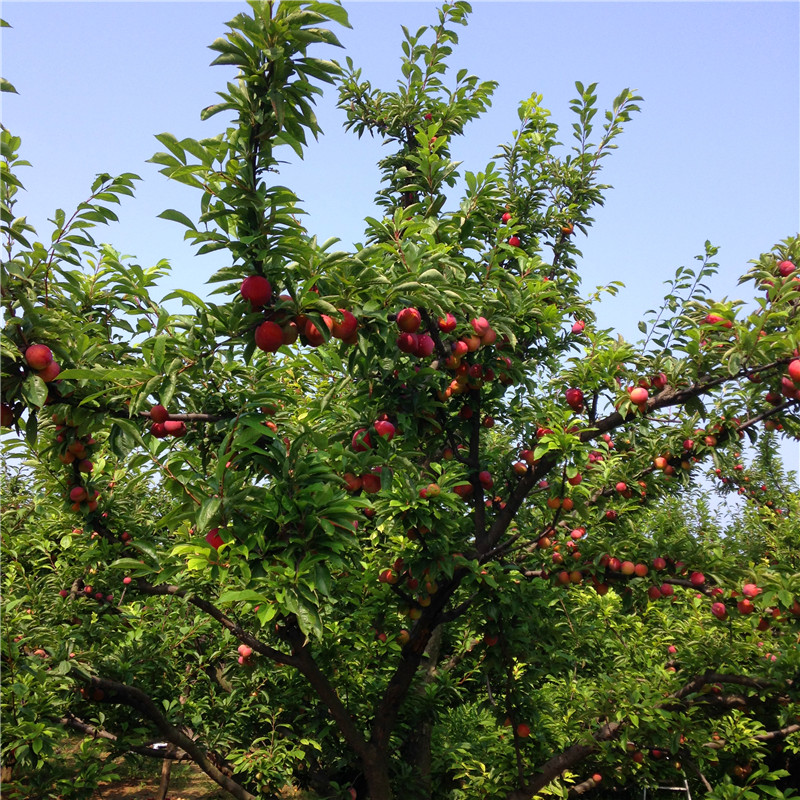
342 528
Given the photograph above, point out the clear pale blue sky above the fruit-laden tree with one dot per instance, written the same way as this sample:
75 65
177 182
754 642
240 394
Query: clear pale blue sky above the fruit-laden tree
713 155
